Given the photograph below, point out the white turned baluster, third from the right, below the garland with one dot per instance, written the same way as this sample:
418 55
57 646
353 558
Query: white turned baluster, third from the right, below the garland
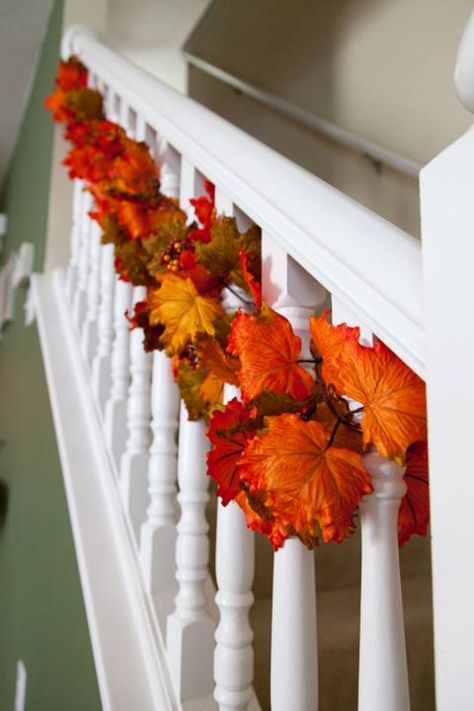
235 563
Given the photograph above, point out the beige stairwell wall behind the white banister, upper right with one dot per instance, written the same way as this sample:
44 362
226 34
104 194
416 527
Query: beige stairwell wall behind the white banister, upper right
380 68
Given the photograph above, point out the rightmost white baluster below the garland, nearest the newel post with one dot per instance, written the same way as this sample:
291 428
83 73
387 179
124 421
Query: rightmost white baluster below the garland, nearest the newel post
383 677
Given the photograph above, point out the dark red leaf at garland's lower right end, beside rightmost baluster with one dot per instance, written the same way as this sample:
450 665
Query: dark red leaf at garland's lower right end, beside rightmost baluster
414 514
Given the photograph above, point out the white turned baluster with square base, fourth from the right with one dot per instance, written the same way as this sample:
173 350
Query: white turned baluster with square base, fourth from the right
190 631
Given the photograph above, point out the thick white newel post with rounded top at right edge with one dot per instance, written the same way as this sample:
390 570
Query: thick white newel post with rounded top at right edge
447 211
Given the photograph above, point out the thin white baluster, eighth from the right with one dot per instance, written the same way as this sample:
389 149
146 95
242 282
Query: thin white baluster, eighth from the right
101 373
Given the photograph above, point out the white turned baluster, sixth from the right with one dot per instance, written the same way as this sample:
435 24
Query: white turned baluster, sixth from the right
134 461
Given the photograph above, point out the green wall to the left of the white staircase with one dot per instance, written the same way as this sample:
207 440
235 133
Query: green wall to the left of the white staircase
42 616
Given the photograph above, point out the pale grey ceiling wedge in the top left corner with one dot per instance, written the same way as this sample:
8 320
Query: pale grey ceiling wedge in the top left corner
22 27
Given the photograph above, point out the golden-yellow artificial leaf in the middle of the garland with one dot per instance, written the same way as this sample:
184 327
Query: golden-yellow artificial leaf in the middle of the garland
183 312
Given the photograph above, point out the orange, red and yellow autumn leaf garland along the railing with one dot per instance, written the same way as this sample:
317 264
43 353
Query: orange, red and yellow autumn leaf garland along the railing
290 451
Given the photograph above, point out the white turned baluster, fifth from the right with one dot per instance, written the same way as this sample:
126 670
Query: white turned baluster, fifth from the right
158 533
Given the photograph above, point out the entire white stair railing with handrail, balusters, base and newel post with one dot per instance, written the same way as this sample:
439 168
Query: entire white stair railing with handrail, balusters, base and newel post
319 246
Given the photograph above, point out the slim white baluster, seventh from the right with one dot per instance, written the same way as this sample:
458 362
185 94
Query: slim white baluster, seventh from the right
116 407
